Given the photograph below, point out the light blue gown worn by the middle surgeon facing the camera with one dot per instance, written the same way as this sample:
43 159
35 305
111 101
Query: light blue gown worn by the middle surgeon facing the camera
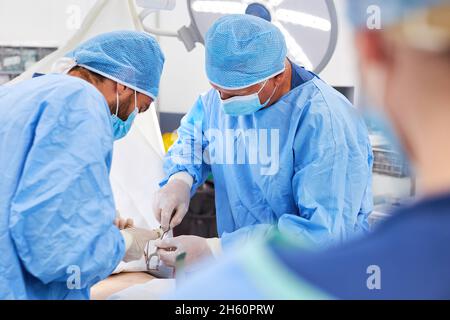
320 192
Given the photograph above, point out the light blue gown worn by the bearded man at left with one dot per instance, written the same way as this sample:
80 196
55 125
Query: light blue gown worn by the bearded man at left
57 236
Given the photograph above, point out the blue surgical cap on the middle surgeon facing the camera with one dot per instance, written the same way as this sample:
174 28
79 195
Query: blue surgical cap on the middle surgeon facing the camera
243 50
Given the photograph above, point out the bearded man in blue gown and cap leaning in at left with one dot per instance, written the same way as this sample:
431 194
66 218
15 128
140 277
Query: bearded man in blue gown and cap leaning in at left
57 236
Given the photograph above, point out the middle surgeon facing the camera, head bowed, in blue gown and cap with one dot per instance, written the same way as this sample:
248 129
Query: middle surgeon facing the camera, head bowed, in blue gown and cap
286 150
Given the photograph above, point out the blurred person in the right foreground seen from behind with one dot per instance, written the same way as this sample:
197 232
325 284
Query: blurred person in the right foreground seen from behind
405 69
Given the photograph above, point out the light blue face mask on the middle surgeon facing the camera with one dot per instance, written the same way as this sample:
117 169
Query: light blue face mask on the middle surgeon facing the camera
245 105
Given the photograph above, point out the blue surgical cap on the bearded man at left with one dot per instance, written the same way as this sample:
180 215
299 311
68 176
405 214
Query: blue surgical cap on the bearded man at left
131 58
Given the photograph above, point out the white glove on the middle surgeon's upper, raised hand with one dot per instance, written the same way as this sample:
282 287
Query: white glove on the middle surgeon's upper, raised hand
171 202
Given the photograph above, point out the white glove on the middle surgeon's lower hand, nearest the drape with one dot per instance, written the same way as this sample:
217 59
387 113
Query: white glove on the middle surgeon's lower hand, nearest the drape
196 249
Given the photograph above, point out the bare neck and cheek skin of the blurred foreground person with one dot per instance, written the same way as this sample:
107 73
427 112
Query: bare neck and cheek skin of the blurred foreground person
417 102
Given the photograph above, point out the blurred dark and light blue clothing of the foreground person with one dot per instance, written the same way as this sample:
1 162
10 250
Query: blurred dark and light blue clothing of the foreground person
406 257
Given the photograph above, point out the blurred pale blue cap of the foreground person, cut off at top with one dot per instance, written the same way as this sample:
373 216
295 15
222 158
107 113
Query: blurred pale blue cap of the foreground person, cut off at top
391 11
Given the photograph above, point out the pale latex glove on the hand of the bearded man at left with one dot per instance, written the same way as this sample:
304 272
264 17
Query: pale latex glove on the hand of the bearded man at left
136 239
